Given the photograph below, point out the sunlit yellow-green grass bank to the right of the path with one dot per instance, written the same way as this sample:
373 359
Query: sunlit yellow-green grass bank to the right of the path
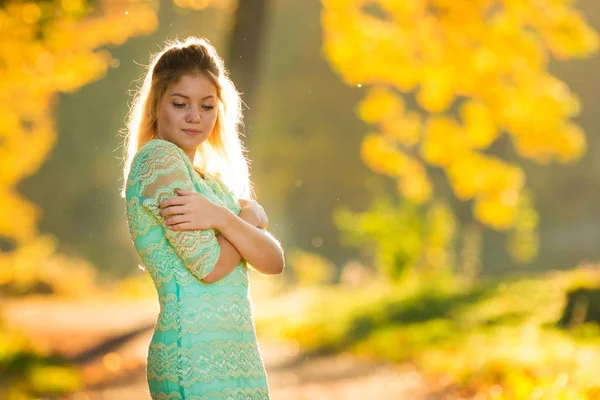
498 338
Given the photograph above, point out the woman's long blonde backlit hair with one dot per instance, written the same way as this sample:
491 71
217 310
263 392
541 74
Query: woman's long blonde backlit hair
222 154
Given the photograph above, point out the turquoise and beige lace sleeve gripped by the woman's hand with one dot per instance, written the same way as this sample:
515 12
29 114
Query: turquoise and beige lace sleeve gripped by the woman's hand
165 170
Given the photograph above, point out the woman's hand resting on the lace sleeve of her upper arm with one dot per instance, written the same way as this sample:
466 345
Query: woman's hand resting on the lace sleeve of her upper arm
188 211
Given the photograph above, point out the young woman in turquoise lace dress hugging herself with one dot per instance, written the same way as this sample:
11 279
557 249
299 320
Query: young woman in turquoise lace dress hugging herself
186 185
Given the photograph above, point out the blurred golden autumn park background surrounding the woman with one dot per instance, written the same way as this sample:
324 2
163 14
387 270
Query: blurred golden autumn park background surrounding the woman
429 167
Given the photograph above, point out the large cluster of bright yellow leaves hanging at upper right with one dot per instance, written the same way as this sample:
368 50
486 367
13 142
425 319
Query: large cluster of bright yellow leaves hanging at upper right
477 70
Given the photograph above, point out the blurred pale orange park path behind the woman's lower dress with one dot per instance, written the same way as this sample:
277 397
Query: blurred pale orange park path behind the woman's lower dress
108 341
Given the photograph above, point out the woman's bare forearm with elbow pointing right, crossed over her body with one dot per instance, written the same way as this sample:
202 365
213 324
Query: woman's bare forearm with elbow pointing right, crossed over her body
255 245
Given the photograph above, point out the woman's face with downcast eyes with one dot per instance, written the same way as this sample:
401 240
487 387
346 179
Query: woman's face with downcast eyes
187 112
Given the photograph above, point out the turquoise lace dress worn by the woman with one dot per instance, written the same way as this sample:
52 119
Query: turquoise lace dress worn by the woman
204 343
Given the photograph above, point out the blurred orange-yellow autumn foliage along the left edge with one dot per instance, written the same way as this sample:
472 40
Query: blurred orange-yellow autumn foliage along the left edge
47 48
